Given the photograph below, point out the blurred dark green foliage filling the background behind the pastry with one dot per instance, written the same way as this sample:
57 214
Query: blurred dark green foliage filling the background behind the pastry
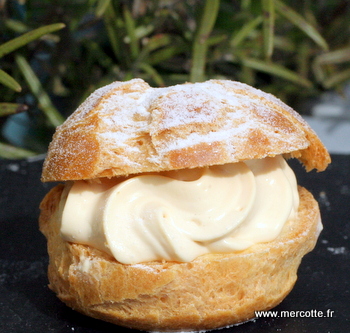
53 54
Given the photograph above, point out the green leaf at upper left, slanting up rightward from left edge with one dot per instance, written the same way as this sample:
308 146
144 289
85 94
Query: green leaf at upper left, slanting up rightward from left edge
28 37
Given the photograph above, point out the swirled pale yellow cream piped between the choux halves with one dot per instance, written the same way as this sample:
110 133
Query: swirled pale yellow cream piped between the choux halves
180 215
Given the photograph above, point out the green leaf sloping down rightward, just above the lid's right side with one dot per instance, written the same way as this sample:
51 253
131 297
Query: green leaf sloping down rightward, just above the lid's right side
276 70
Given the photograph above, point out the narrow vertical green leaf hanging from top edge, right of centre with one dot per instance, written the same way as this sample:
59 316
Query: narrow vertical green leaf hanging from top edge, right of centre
268 26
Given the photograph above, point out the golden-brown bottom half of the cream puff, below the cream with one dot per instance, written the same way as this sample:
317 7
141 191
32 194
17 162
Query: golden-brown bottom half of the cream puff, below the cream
212 291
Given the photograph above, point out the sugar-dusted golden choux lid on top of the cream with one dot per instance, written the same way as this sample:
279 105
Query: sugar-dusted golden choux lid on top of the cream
129 127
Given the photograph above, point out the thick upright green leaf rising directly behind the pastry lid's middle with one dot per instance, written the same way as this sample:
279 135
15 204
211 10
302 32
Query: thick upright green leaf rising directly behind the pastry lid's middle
199 51
